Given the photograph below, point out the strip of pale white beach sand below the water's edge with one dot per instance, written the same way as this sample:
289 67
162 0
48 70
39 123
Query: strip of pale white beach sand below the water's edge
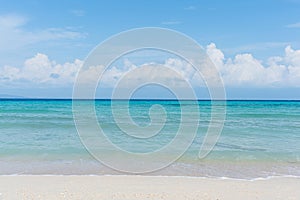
145 187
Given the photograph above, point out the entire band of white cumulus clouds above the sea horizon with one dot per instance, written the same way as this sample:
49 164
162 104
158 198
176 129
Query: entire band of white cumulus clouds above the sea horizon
243 70
